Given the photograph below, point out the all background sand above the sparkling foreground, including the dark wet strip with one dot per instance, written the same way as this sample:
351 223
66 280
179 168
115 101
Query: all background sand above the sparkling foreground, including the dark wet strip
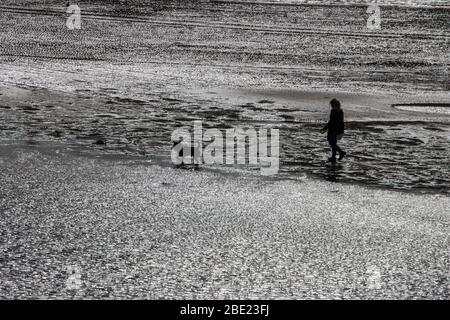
134 73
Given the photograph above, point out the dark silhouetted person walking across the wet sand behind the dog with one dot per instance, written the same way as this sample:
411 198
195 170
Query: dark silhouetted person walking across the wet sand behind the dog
335 127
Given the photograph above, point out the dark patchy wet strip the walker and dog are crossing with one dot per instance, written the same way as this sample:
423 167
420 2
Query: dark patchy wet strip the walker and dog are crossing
408 154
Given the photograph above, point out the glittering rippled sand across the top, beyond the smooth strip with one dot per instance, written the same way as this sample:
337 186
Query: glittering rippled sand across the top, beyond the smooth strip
316 45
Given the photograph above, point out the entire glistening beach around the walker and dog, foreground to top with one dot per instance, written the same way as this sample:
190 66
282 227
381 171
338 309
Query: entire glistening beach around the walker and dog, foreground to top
92 206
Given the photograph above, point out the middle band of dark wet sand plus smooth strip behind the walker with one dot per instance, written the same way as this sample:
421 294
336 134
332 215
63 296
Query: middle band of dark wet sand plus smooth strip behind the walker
387 147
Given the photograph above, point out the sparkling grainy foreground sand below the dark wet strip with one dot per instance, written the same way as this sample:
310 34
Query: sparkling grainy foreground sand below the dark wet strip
146 231
